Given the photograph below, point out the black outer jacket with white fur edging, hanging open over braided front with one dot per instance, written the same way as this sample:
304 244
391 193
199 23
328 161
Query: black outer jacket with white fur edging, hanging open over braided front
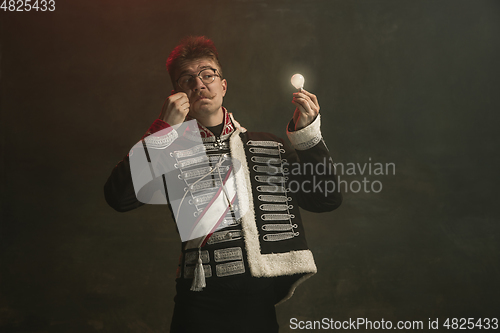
273 181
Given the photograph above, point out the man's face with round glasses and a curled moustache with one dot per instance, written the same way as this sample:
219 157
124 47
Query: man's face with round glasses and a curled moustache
204 99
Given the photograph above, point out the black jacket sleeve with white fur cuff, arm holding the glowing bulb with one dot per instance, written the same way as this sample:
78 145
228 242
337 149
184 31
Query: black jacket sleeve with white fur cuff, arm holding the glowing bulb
311 170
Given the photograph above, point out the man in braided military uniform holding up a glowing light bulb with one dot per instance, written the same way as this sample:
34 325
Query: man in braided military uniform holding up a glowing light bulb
237 184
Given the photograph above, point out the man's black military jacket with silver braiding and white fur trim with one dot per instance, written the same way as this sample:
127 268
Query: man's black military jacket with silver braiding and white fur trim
272 180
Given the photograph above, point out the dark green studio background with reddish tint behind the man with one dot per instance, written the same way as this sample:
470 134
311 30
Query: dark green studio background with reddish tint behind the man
413 83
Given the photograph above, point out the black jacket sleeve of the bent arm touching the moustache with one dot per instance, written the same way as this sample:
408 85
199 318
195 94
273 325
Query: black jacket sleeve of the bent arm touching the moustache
119 188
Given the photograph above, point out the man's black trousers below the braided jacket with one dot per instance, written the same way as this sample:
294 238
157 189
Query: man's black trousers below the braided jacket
223 310
